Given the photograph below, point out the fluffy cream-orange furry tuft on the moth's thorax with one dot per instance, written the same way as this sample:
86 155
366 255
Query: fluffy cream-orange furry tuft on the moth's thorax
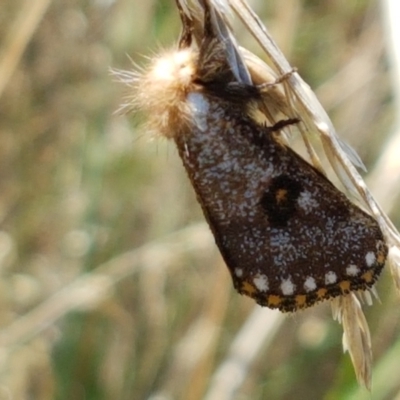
163 90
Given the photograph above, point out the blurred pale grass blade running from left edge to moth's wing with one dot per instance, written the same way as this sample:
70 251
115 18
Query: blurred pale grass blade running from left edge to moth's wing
87 291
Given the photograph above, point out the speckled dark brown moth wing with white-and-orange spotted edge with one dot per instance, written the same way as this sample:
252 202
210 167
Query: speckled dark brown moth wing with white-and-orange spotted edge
288 236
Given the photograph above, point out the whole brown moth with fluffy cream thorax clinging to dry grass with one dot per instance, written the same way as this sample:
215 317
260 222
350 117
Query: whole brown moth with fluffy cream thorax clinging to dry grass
289 237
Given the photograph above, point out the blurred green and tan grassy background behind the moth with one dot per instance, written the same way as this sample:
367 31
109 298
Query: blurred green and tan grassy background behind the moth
97 299
